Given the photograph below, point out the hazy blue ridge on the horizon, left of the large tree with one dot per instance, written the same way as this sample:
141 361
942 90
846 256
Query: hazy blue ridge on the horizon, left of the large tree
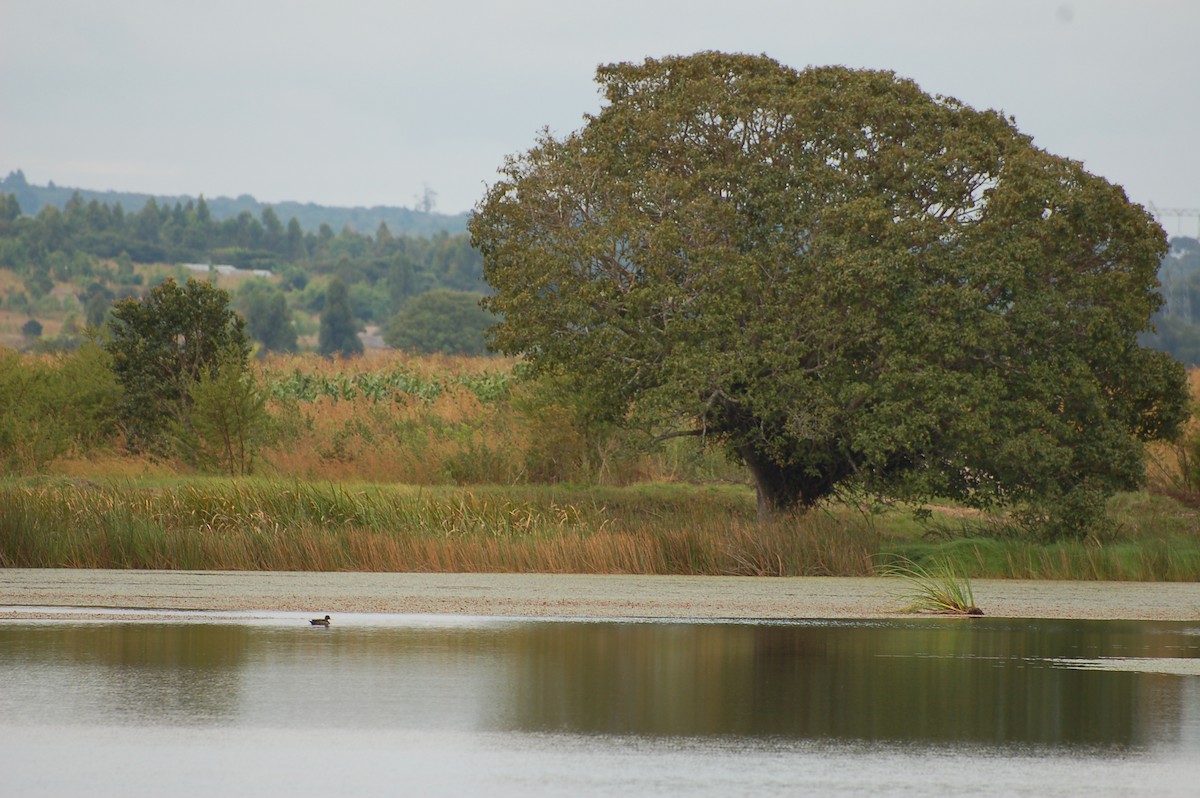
401 221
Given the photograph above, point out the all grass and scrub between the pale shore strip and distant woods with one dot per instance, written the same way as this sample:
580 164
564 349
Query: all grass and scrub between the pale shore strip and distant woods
437 464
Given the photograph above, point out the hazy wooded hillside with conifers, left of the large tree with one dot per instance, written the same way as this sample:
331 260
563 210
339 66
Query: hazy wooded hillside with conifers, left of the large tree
94 248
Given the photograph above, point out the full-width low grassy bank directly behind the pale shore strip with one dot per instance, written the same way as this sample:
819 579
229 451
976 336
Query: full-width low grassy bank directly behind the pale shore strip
277 525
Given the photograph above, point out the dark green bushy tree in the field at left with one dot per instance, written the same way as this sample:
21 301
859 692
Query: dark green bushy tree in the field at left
164 345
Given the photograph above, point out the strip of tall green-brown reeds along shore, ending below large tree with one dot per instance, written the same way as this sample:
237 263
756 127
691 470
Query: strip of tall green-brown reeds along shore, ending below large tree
301 526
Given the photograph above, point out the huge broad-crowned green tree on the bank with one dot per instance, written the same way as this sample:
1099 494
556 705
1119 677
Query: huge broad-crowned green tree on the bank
843 280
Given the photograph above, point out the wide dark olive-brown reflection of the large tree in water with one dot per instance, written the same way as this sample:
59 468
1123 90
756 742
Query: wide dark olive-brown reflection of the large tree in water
980 682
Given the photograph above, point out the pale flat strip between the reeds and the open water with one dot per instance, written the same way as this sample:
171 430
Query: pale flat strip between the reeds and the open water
33 593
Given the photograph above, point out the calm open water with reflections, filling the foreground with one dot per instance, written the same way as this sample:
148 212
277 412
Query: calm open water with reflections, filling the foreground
381 705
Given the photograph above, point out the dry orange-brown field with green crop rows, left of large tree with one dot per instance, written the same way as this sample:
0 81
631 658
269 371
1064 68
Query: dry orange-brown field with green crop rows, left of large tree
440 421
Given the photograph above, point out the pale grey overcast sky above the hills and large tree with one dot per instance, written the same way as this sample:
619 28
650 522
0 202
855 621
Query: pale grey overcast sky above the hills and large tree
363 103
